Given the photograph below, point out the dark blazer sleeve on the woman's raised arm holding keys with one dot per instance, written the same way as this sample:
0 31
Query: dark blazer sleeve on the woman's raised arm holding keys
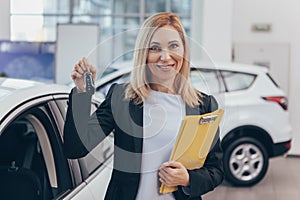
82 131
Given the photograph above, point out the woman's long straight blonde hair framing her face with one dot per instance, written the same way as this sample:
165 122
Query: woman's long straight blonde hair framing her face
138 88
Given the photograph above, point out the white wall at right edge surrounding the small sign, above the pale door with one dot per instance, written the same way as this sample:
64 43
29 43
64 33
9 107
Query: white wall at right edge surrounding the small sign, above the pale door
284 16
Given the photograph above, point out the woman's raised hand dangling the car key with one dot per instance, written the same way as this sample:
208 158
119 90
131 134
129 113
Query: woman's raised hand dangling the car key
78 73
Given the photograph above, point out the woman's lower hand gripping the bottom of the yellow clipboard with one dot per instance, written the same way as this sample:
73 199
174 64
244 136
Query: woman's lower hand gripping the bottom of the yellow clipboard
173 174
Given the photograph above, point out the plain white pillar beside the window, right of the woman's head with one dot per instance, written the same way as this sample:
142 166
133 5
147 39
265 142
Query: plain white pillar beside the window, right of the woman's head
211 28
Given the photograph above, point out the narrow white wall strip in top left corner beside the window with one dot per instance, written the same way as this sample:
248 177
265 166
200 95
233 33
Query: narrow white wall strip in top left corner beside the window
5 20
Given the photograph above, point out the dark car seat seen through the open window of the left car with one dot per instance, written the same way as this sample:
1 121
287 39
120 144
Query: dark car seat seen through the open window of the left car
17 180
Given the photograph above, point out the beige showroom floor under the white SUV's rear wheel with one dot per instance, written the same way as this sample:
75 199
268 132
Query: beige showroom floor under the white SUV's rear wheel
282 182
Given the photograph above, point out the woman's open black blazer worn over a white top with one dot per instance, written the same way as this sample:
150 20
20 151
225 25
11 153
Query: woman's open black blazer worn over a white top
126 120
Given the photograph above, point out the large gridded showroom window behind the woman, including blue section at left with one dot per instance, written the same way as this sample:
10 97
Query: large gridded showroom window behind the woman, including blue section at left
33 30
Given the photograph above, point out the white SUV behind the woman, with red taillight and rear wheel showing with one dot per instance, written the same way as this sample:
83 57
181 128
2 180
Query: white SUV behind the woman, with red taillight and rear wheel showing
256 123
